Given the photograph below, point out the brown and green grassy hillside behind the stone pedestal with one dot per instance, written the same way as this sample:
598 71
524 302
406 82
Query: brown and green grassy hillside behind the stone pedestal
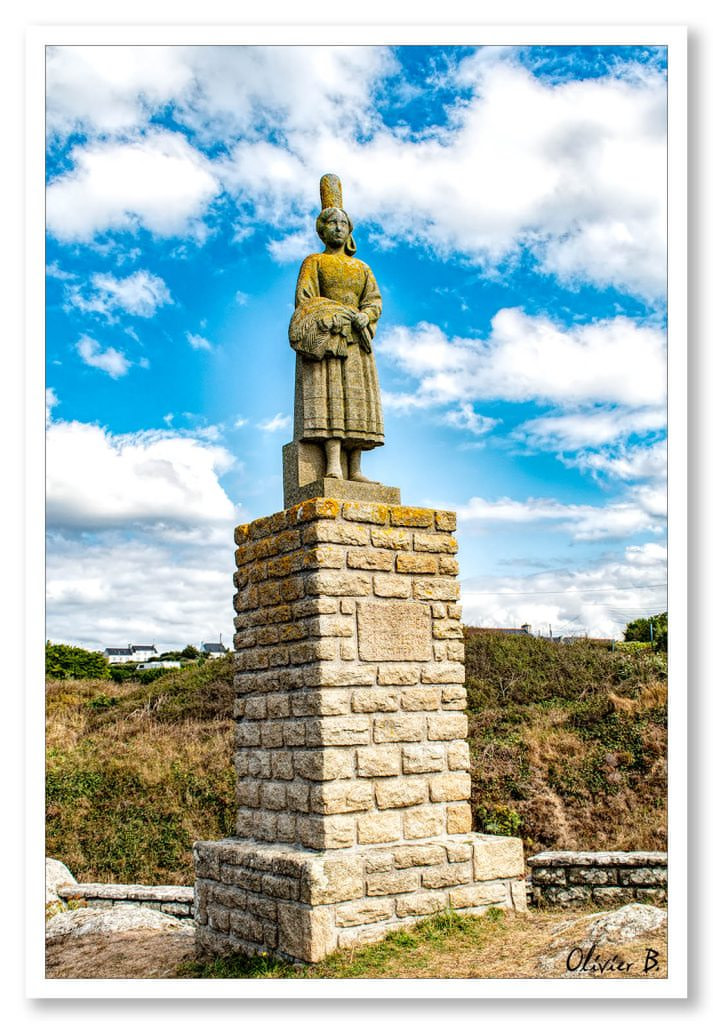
569 750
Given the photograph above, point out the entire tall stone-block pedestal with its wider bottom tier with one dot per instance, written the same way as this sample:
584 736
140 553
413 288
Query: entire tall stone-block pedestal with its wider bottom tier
352 753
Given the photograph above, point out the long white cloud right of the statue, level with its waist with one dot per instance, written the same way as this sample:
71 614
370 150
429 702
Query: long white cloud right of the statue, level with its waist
529 358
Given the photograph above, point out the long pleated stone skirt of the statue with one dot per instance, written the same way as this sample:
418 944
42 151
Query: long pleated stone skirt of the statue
337 398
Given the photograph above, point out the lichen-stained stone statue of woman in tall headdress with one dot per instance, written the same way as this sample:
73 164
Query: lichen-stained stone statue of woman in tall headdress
338 306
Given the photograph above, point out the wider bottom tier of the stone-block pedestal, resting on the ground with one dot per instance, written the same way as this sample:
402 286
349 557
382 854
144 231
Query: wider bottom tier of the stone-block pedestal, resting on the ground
265 898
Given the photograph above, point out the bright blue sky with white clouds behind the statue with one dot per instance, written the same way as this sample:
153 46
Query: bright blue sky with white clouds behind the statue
512 203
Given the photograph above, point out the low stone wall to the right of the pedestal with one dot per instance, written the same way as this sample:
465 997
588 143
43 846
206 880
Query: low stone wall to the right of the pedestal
566 877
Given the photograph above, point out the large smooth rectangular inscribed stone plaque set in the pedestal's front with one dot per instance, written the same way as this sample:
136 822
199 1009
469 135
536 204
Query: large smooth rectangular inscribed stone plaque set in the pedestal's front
393 631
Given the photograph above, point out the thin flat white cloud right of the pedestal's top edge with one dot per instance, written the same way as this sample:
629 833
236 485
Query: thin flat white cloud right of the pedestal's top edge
643 510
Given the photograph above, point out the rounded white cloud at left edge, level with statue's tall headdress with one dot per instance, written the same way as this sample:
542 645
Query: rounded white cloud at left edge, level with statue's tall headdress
158 182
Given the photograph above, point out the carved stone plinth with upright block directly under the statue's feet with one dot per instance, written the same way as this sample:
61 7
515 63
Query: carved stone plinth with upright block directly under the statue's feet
304 479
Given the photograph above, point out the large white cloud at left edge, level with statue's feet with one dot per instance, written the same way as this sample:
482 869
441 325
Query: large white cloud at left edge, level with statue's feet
98 481
